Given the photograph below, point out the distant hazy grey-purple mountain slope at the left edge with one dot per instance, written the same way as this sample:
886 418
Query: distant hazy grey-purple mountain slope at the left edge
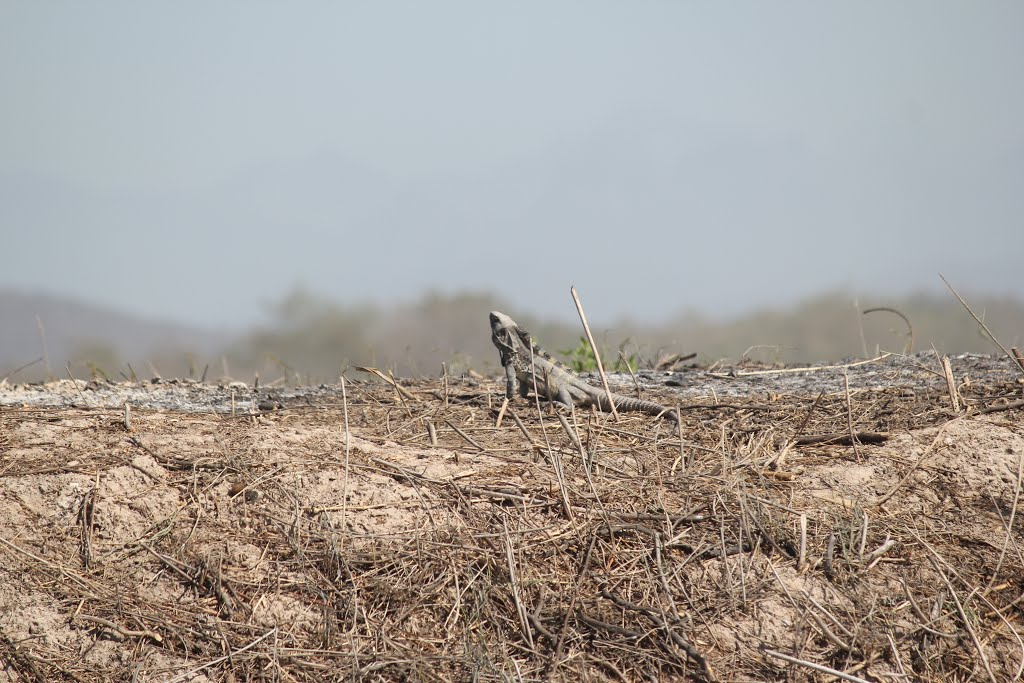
61 330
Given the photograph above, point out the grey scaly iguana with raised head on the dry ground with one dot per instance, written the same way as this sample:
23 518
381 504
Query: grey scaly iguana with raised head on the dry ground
524 361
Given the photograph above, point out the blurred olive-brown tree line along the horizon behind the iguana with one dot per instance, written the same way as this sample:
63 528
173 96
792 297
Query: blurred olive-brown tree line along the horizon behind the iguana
311 339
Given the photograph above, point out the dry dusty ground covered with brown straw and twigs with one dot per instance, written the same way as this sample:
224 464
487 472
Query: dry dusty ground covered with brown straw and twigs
224 534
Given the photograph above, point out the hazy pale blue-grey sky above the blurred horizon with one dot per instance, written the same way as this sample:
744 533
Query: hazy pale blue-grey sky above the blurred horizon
196 160
